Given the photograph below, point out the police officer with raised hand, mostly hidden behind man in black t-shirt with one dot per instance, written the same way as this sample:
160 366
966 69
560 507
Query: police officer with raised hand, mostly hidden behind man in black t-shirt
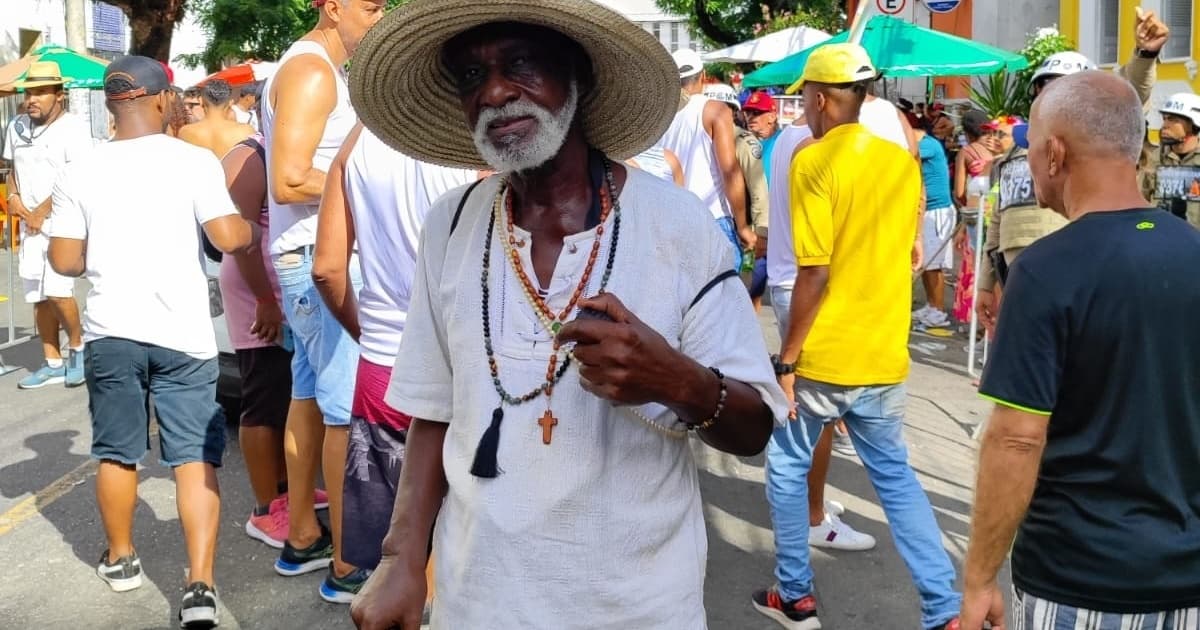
1017 221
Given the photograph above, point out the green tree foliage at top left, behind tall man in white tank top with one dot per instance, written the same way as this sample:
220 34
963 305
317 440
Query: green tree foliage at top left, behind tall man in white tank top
251 29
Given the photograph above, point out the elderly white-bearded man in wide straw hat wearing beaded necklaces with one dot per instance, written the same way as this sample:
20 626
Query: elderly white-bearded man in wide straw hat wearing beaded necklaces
553 387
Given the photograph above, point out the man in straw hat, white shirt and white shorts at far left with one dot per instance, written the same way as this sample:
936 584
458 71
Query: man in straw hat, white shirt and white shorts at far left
39 145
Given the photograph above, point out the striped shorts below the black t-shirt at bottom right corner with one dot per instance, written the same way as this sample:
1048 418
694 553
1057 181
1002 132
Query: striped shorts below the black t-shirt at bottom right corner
1035 614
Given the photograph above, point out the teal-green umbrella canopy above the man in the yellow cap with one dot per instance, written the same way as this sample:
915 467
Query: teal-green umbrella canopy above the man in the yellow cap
901 49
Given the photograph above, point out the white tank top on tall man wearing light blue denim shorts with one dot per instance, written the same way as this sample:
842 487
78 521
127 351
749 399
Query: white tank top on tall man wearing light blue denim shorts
296 225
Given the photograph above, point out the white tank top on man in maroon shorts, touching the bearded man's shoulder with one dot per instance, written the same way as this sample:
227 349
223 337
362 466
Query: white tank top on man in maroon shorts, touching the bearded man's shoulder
389 196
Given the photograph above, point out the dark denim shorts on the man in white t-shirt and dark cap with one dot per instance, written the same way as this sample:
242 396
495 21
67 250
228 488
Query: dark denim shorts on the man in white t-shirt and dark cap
123 376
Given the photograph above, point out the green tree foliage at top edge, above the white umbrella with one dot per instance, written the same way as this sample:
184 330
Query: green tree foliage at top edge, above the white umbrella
729 22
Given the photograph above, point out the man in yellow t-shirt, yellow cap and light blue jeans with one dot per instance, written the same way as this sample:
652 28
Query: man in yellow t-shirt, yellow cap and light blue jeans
856 201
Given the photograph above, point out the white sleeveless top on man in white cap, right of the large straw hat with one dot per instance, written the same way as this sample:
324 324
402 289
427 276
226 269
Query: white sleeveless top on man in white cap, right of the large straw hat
694 147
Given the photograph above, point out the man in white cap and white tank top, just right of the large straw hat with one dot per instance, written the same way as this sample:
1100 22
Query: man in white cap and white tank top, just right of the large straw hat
703 136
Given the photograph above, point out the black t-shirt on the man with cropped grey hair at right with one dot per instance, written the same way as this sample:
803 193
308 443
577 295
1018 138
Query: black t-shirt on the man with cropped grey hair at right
1100 329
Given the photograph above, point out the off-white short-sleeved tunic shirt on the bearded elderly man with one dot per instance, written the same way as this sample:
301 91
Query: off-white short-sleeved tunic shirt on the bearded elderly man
603 529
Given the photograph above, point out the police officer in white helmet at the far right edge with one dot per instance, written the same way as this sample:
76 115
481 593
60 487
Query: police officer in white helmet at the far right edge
1173 178
